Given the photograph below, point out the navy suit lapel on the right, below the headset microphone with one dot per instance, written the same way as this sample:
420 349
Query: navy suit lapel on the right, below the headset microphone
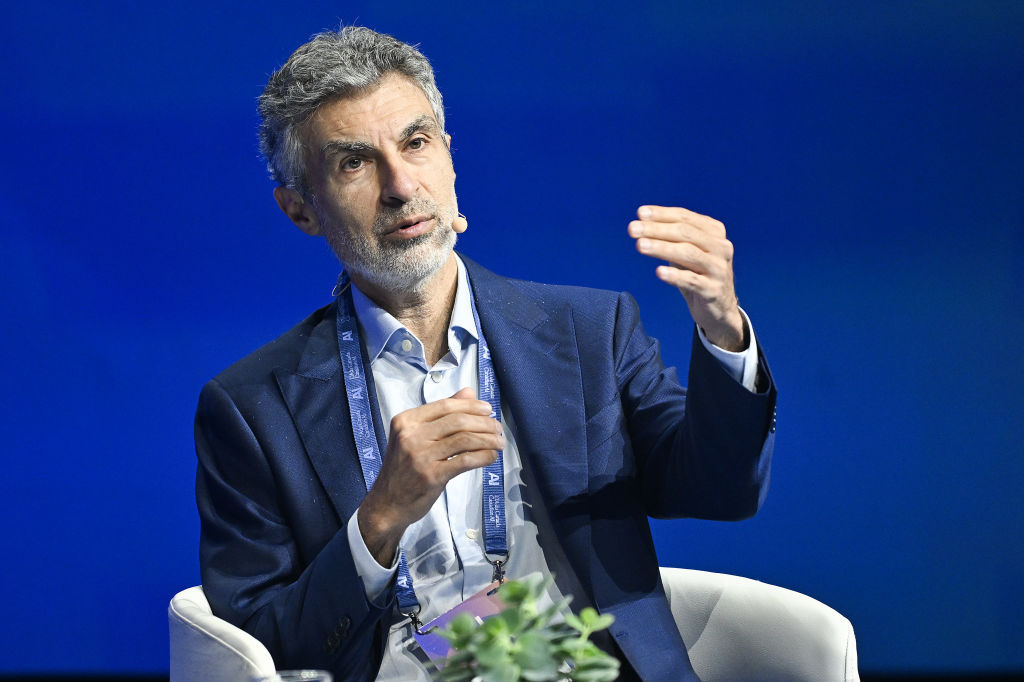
538 367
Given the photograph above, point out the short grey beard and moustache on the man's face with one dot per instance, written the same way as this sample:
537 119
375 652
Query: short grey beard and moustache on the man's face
397 265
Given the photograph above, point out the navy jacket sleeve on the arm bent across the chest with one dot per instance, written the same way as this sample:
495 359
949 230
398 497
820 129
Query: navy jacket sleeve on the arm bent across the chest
310 612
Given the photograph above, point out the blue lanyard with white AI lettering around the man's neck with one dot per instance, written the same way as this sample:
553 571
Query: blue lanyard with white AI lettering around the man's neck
360 412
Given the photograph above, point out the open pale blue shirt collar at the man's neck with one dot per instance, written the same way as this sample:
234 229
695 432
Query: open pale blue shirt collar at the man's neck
380 329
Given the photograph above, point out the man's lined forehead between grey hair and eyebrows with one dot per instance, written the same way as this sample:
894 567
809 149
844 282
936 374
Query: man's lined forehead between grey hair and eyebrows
371 116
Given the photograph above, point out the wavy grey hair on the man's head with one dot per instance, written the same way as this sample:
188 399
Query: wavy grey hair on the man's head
331 66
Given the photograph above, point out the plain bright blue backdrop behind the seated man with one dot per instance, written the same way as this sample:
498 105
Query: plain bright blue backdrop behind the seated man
866 158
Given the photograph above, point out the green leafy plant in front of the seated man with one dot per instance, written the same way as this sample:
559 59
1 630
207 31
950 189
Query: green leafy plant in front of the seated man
523 644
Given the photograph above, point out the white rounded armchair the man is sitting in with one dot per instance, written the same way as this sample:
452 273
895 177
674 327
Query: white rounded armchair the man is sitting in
734 628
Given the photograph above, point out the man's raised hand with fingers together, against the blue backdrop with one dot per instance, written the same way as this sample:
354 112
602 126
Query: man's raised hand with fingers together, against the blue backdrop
700 266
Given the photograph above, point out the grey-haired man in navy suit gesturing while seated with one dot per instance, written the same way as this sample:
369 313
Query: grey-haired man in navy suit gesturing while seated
345 468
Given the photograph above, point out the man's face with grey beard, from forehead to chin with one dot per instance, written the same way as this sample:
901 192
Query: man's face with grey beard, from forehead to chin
383 186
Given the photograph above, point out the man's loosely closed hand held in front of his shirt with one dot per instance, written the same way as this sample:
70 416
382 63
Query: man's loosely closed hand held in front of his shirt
429 447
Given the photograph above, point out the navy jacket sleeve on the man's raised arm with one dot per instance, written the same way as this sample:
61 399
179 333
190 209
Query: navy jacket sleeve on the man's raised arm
704 452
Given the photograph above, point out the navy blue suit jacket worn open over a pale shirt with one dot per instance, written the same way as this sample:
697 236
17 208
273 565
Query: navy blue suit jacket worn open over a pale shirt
607 433
